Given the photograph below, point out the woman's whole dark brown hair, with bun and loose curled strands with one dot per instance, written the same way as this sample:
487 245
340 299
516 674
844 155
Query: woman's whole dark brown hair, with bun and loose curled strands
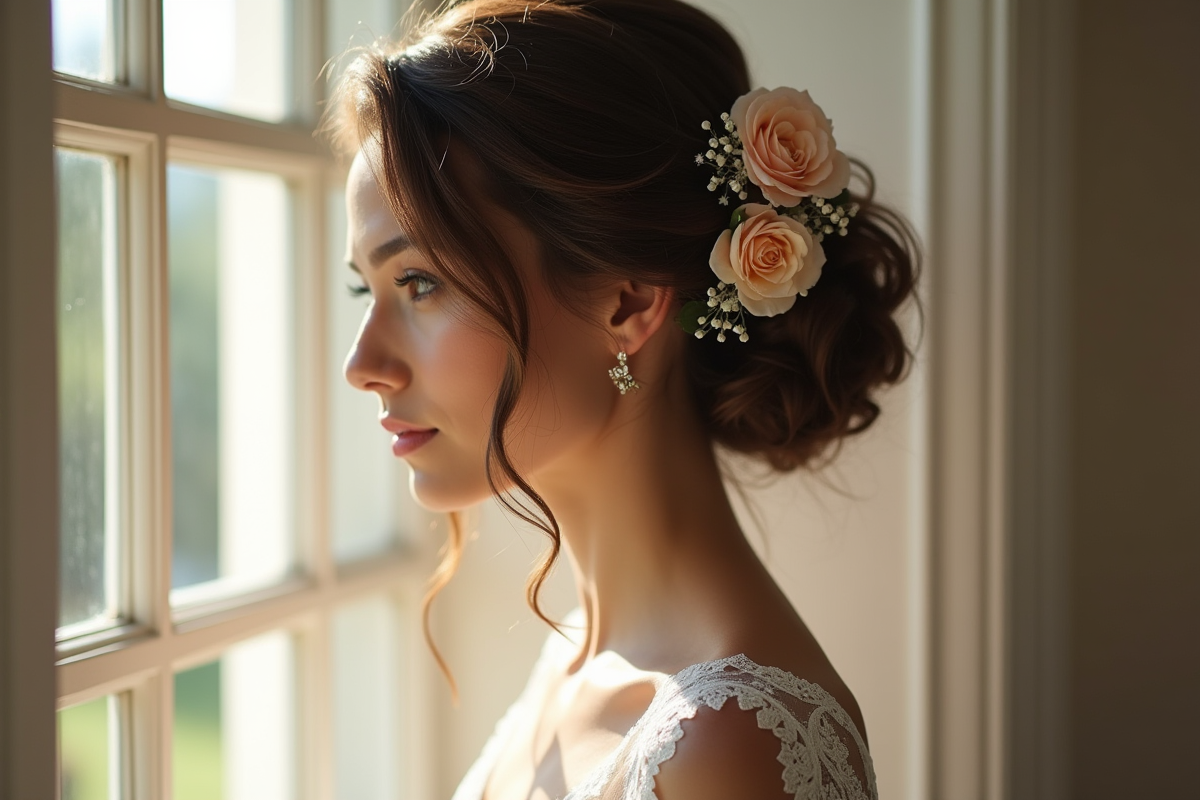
585 118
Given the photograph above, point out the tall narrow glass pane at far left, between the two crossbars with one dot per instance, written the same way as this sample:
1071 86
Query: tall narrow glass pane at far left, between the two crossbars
87 191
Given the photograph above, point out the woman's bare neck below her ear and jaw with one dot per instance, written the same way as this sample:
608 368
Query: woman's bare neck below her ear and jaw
649 530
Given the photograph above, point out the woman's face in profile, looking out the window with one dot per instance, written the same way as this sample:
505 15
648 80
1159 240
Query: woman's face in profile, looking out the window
436 363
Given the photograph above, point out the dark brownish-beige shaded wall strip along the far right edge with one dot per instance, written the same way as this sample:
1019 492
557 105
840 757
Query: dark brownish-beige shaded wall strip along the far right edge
1135 458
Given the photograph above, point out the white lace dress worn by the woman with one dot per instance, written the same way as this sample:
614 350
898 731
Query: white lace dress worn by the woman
821 751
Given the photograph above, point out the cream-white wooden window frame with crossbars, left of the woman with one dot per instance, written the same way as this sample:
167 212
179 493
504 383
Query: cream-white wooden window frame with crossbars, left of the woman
137 660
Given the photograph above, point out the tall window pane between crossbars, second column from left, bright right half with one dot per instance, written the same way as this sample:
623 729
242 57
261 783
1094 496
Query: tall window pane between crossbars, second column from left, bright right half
232 378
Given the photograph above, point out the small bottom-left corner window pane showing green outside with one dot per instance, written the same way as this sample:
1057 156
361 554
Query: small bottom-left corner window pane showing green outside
87 739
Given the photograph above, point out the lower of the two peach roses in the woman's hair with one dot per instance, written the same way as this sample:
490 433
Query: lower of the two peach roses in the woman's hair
771 258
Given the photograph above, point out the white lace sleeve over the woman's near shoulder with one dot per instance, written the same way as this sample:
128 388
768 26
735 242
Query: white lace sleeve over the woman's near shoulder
821 753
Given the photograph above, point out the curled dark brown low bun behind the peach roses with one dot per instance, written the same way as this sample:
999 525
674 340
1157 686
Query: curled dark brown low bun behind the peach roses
808 377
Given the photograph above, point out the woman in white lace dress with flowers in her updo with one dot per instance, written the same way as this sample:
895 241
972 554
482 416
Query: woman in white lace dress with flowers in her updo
593 254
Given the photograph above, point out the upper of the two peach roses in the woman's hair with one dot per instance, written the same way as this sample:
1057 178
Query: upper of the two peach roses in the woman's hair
790 151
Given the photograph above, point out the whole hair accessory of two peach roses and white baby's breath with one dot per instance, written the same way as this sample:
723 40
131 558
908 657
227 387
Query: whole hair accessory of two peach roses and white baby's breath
782 143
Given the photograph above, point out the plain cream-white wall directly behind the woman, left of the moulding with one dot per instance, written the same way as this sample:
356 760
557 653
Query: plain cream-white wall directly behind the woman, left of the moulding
848 545
